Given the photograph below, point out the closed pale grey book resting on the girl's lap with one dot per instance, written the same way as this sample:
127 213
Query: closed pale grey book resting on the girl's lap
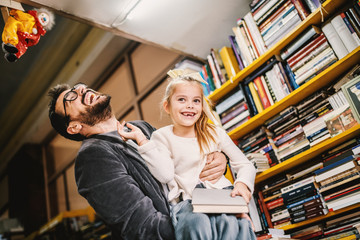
217 201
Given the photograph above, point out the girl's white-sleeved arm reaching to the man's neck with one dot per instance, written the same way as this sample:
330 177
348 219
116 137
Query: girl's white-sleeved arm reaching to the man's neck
154 151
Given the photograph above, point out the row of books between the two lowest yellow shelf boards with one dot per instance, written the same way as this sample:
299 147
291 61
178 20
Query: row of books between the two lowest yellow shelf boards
328 184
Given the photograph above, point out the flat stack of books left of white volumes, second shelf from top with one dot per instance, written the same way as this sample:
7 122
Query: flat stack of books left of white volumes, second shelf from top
308 55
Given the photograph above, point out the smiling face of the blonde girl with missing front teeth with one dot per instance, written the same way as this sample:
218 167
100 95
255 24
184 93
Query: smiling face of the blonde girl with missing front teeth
185 104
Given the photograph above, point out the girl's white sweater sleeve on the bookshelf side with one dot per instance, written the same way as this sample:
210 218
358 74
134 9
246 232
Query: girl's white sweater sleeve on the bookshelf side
242 166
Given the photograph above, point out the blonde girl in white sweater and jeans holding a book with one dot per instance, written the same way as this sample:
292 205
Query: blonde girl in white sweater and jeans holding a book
175 154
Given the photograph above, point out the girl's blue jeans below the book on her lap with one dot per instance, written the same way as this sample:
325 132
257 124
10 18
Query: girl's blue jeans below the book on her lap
199 226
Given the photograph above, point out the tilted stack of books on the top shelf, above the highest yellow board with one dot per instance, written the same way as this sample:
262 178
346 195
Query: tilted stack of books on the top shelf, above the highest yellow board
275 19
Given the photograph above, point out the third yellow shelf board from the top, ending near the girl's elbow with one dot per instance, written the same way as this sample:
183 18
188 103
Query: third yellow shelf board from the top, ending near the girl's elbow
308 154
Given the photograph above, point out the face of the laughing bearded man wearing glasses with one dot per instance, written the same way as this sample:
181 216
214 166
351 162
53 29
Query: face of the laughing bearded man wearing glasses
88 107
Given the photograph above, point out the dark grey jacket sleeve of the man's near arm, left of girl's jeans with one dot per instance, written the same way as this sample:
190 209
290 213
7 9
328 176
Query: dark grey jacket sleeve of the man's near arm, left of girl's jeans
106 180
